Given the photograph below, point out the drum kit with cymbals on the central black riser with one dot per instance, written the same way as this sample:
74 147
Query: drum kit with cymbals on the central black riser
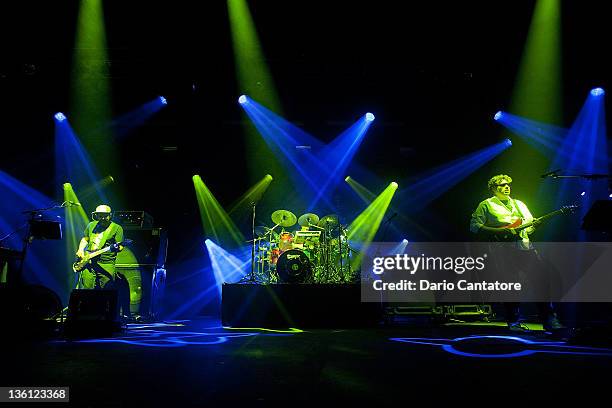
317 252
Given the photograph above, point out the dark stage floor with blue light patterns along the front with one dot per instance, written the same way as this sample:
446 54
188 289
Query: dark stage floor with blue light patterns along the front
195 363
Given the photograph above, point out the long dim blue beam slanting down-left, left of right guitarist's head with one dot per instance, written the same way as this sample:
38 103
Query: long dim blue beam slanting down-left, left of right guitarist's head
433 183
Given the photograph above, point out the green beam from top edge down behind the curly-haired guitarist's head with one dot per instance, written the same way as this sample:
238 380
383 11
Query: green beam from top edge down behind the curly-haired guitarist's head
537 94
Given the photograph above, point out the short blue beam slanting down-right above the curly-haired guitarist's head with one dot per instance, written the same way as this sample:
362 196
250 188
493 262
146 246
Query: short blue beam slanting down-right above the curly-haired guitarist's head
544 137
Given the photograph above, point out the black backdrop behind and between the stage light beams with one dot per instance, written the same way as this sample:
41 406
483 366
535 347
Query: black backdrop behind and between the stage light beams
433 74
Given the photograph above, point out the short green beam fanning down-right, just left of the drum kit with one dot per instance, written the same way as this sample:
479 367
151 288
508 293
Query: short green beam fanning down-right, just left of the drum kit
215 221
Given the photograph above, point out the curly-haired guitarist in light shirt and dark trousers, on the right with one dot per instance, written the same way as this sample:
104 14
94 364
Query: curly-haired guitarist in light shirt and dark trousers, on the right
490 218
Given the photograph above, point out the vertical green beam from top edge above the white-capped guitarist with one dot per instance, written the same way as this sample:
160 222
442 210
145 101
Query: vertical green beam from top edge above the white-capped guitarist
90 85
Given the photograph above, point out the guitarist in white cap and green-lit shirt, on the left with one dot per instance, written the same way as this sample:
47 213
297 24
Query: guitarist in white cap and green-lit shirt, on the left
100 273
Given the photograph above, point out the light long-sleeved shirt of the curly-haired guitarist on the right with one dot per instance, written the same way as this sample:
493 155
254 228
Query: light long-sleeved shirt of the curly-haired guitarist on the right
492 212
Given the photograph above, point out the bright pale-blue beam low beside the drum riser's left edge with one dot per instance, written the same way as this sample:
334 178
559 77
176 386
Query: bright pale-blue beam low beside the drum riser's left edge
227 268
